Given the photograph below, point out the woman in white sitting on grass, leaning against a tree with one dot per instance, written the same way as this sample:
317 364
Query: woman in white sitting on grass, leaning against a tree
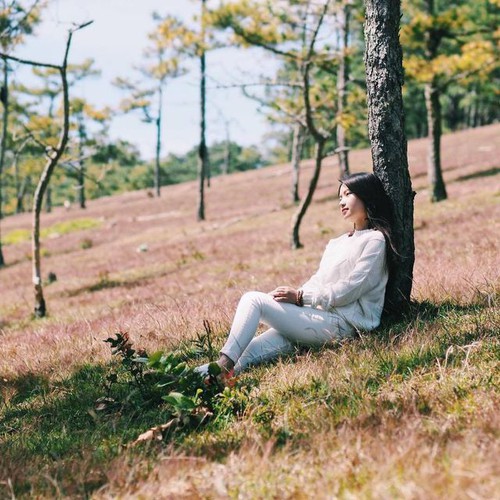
345 295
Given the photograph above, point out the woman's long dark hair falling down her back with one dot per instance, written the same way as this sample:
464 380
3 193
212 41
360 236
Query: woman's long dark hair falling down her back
370 190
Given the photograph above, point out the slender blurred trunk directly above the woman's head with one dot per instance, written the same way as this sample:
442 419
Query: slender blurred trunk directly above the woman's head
342 79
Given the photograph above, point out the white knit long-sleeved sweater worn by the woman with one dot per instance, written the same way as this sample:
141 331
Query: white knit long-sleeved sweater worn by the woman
351 279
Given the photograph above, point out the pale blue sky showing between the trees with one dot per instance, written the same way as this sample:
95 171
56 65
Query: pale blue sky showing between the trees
116 40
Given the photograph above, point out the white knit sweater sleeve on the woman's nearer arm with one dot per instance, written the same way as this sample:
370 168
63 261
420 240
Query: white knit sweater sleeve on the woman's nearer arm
367 272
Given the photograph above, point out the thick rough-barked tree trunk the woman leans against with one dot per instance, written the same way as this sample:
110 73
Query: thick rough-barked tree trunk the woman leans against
384 79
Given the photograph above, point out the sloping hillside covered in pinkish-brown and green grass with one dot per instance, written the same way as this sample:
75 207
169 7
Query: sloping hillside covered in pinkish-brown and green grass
409 411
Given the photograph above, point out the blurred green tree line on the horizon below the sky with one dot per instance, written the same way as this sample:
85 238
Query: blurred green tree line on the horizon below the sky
117 167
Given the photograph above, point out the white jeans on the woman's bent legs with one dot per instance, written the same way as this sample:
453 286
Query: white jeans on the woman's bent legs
290 325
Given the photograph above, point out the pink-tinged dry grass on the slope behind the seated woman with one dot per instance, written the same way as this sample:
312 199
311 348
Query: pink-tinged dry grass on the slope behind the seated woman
194 271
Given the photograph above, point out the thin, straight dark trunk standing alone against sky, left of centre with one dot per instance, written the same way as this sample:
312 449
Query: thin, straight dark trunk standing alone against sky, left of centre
202 150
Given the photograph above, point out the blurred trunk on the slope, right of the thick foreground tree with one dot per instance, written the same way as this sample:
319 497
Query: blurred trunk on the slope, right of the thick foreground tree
434 172
